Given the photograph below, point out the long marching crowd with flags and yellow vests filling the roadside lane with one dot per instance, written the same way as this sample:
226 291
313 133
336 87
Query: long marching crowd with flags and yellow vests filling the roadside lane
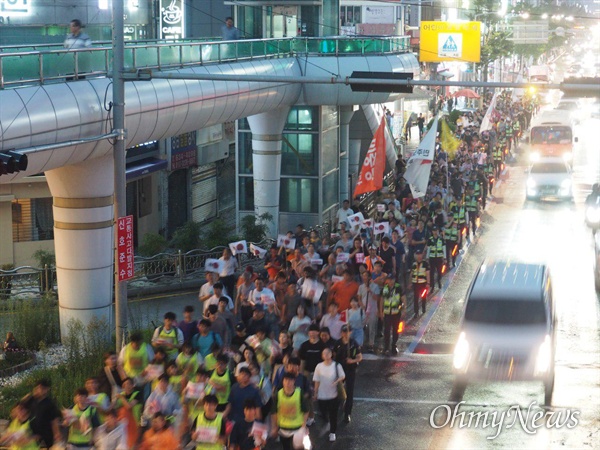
262 351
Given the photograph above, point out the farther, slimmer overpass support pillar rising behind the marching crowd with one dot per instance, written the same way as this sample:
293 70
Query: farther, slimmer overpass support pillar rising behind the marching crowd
267 129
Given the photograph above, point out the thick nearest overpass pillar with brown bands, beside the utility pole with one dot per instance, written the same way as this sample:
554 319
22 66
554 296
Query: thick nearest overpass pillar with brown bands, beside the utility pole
83 239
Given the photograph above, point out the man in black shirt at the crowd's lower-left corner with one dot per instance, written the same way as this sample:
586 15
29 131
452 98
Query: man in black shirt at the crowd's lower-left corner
45 415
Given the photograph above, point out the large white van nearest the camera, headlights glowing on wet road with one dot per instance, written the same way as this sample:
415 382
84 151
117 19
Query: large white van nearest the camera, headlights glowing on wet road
508 329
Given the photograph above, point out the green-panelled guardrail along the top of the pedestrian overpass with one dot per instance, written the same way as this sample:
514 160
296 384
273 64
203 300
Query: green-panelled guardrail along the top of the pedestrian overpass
41 66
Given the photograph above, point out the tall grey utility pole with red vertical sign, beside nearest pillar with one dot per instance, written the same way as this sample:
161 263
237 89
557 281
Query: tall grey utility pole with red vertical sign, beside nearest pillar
118 108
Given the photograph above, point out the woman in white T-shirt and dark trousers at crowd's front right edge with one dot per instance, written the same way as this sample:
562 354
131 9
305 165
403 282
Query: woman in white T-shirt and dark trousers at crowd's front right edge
326 378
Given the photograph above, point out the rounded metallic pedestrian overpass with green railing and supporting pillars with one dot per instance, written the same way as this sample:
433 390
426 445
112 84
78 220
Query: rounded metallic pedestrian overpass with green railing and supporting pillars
54 104
